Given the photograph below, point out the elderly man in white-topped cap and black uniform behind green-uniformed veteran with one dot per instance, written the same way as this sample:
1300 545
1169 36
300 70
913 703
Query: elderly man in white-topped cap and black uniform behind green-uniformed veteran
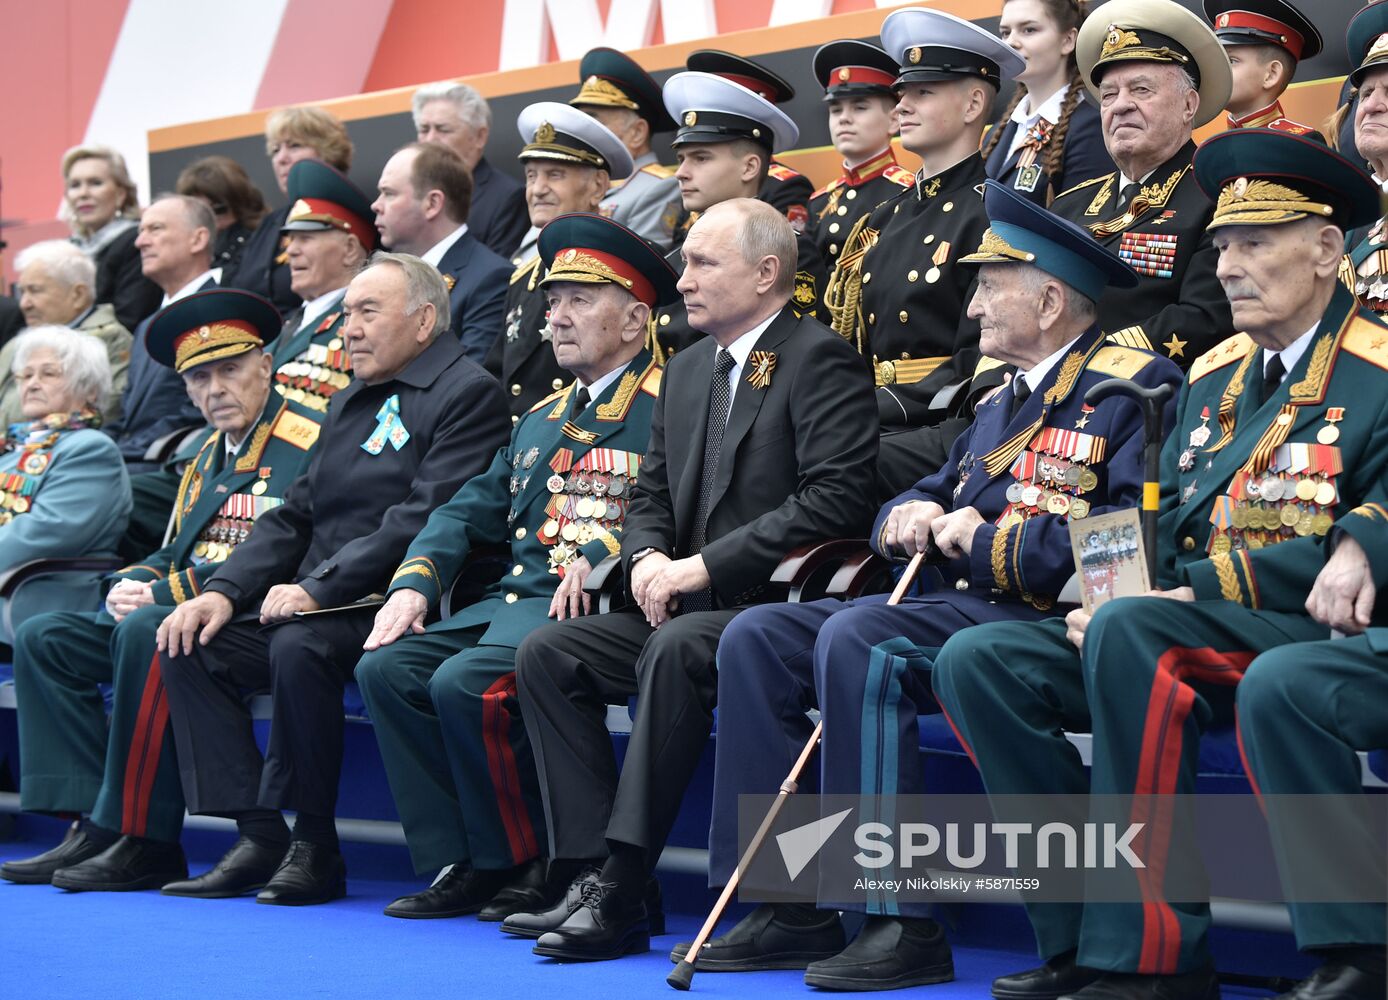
570 162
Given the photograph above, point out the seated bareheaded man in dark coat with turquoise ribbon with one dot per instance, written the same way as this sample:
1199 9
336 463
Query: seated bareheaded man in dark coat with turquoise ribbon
417 423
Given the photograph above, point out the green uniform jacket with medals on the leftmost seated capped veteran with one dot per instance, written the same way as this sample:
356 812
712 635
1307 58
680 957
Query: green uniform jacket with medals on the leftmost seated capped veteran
220 501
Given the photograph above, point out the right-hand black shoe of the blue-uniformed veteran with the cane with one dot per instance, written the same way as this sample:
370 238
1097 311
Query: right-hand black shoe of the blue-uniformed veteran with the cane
889 953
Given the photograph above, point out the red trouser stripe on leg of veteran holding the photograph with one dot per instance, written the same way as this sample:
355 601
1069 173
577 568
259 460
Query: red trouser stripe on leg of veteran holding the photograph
1160 766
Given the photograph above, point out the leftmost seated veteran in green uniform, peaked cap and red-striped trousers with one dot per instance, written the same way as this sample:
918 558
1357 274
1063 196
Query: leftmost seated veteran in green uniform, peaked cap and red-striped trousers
126 777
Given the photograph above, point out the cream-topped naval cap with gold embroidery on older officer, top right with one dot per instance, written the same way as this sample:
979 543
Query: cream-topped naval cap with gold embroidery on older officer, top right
1157 31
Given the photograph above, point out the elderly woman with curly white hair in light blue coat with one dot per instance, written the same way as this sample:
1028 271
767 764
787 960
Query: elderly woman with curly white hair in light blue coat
63 485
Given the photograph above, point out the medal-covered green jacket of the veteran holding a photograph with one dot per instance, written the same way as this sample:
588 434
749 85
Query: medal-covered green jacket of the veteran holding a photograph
1250 490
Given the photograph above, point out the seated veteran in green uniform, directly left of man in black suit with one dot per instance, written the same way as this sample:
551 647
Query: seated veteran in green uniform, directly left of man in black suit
443 699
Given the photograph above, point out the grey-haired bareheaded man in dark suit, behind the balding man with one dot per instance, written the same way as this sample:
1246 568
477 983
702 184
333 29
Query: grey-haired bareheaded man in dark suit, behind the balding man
456 116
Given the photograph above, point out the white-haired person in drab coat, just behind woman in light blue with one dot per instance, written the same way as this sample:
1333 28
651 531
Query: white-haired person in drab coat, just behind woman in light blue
58 287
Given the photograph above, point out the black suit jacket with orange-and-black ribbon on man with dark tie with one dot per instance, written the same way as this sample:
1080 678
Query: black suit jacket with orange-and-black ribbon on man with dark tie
796 465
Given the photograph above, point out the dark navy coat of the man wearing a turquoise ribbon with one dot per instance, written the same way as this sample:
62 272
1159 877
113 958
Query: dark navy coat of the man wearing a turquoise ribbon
346 524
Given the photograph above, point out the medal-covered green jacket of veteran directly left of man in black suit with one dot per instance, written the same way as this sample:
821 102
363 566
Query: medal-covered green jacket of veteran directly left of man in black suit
559 491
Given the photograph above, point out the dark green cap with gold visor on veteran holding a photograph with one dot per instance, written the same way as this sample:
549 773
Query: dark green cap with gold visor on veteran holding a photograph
1262 177
